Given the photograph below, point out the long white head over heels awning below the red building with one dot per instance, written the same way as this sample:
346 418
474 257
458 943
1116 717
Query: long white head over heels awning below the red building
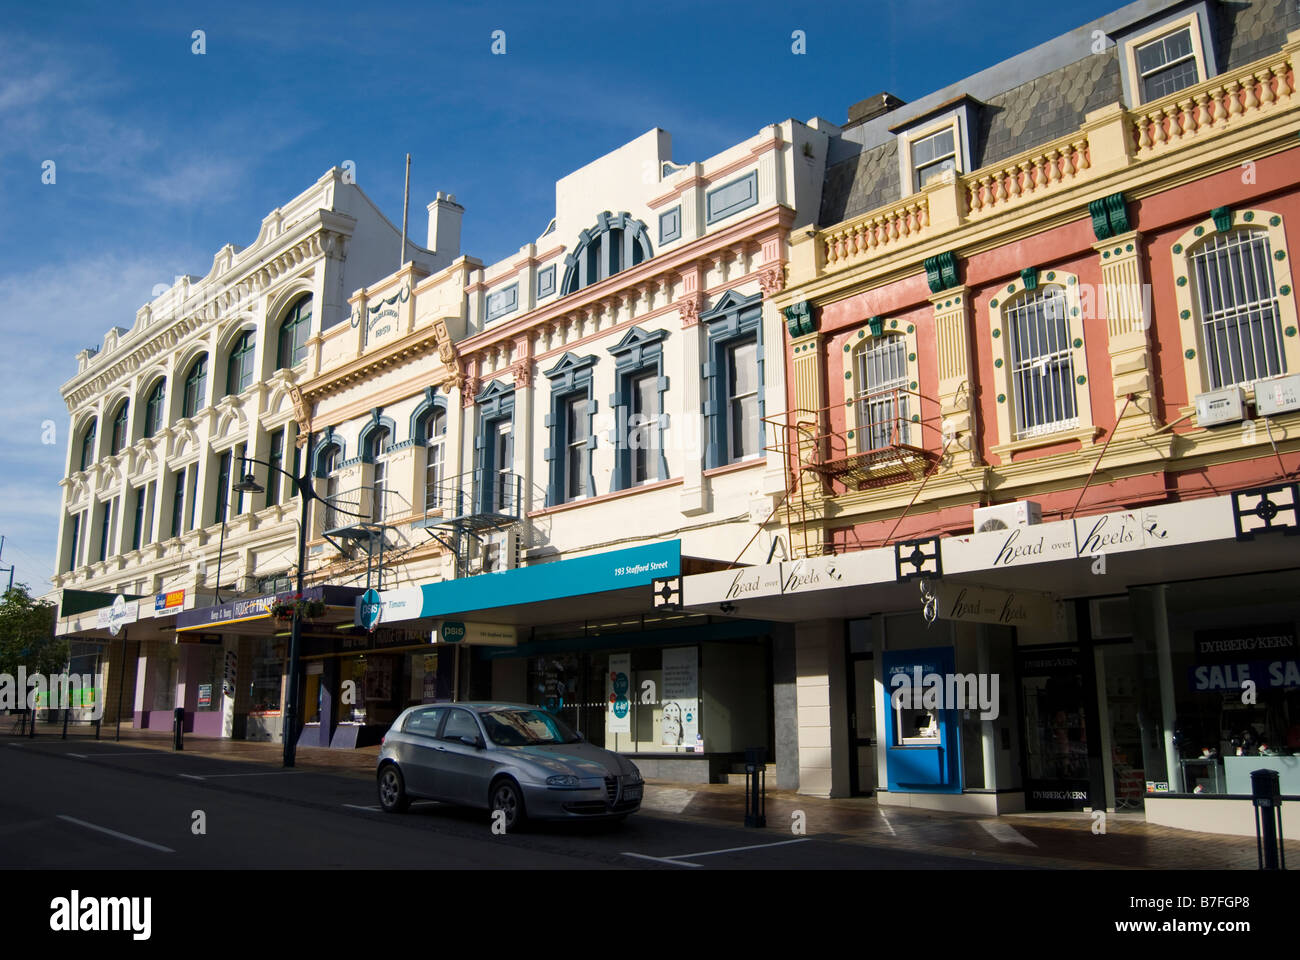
1084 557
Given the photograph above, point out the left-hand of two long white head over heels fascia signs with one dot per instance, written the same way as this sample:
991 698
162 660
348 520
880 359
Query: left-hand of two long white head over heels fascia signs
790 577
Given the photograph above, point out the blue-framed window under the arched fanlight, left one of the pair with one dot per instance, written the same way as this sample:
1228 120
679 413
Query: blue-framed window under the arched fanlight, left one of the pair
570 425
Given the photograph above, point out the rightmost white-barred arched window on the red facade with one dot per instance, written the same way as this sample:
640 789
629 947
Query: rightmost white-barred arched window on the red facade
1237 309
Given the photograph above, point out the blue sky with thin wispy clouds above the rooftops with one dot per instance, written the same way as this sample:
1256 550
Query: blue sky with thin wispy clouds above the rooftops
163 157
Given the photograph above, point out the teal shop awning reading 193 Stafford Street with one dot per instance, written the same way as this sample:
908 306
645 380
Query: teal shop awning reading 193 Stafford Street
601 585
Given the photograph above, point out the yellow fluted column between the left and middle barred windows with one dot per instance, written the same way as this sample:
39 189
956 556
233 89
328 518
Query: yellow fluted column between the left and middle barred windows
954 348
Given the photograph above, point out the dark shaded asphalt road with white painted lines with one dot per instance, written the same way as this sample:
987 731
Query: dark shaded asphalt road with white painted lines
94 805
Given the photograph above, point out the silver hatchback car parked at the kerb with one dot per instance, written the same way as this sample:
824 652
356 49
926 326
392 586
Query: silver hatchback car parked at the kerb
508 758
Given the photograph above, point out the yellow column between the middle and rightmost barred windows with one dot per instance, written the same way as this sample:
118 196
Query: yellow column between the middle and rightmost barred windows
1128 304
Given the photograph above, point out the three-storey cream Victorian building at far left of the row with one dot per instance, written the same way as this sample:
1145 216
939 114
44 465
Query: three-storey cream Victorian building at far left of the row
161 420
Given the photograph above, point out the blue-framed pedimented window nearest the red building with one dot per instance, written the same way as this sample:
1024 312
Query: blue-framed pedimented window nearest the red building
734 379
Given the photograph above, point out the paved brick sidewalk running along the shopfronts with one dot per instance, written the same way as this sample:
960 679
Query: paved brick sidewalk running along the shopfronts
1030 840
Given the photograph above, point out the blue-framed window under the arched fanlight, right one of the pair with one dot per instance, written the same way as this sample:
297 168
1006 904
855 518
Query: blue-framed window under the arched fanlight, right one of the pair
639 409
